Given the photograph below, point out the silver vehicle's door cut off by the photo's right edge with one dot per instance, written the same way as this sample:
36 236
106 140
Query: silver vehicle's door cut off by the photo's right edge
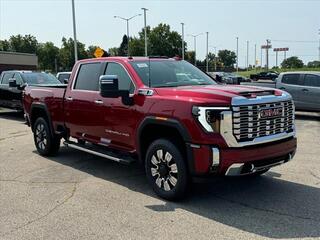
311 90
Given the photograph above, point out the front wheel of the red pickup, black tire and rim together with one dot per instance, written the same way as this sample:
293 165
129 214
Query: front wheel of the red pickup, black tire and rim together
166 170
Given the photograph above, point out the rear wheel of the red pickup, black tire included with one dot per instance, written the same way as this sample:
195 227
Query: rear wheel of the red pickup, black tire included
45 142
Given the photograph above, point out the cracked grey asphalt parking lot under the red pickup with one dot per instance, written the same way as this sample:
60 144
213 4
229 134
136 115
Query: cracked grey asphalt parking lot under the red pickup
75 195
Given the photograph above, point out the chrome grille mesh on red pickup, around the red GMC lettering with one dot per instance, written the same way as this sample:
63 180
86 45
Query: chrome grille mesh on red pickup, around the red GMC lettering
249 124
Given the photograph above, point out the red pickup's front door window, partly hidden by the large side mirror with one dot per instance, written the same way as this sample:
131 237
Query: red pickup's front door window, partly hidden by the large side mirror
125 82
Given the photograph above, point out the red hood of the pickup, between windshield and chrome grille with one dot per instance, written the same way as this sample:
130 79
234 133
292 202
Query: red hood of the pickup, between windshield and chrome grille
217 94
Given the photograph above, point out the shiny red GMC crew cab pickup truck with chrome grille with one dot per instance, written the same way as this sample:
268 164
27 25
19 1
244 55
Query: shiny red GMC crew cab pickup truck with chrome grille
166 114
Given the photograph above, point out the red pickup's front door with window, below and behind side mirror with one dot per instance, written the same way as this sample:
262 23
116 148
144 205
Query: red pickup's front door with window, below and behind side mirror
120 120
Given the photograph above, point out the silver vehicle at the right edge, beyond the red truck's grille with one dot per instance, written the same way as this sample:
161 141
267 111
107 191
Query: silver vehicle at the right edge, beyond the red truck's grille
304 88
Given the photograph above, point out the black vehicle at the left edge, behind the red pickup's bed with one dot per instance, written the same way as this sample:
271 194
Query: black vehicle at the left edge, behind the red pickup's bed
12 84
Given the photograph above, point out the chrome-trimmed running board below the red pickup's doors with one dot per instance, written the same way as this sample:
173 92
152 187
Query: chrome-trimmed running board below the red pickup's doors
99 151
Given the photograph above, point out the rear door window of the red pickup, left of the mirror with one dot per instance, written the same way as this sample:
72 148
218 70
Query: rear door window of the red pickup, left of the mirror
88 77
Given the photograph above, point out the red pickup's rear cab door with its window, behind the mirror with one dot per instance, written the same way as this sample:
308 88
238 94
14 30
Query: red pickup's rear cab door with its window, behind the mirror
83 116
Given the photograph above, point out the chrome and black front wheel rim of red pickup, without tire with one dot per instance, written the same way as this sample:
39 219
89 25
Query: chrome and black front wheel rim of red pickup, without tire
164 170
